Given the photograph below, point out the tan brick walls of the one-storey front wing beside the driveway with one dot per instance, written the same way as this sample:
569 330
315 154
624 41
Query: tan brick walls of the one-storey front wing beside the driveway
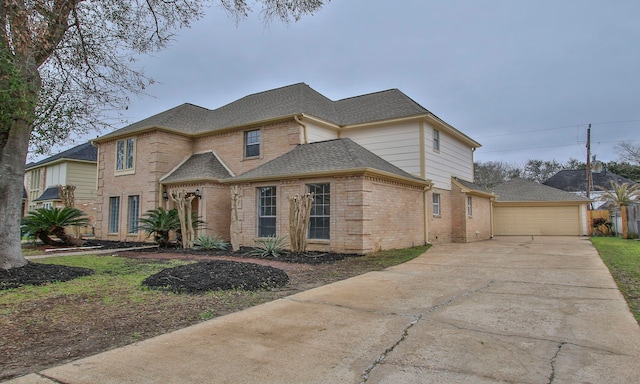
367 214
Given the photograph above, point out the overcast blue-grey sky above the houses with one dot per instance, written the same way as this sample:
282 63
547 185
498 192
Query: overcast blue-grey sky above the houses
522 77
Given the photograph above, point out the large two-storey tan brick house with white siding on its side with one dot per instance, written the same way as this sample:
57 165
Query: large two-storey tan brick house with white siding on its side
381 167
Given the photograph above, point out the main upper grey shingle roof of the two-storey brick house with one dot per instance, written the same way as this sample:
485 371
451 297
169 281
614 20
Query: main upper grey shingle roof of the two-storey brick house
280 102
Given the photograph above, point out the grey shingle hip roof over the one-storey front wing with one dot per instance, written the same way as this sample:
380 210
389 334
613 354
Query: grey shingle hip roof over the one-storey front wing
324 156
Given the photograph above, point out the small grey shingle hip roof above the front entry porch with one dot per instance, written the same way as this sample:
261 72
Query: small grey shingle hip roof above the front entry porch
199 166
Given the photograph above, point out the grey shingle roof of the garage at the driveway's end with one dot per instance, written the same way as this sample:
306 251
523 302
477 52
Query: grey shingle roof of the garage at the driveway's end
525 190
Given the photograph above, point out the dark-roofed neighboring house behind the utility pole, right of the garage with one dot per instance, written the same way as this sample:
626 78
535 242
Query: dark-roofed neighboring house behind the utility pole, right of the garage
575 181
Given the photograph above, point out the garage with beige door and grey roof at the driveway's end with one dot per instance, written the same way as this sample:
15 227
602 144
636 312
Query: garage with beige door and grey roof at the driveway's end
524 207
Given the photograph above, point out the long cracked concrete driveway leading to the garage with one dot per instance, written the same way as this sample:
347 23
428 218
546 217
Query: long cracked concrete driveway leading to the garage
507 310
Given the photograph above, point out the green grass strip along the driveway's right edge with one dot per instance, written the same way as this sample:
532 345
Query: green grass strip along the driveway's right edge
622 257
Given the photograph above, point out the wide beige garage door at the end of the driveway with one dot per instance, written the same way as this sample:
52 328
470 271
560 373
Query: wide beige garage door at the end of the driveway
541 221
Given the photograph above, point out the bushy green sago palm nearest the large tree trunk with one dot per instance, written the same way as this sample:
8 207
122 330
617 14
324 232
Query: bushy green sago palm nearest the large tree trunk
44 222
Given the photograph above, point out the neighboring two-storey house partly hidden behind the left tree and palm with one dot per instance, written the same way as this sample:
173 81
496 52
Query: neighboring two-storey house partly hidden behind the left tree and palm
75 166
